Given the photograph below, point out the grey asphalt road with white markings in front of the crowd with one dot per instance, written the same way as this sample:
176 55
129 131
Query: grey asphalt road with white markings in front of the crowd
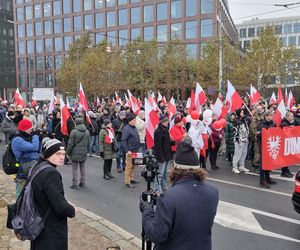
248 217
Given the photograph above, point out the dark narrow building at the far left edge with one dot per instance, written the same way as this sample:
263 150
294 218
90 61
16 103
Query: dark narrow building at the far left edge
7 50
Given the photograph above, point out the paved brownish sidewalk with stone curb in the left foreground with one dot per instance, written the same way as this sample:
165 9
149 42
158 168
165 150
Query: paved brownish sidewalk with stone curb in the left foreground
86 231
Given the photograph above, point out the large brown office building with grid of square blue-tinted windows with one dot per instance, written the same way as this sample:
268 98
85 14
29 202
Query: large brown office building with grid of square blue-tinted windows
45 29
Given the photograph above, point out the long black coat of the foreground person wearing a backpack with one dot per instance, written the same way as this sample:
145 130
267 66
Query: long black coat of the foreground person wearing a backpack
48 191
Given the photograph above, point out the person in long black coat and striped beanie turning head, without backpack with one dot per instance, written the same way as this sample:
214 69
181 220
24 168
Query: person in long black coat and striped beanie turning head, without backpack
49 197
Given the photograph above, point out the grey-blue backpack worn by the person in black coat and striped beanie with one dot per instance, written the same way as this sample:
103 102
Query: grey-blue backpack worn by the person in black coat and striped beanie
27 222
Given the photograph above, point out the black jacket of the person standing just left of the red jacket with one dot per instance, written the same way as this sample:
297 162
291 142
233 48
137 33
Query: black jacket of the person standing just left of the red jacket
162 144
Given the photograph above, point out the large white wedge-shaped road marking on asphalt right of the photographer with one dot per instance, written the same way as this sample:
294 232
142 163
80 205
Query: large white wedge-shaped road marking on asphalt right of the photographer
242 218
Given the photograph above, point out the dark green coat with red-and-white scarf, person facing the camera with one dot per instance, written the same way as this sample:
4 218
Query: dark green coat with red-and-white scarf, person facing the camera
107 144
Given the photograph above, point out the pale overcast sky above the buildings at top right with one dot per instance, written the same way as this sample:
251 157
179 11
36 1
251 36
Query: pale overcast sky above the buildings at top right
243 10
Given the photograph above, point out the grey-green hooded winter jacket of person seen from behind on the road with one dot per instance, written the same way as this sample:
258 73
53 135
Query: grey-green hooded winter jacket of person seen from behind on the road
78 143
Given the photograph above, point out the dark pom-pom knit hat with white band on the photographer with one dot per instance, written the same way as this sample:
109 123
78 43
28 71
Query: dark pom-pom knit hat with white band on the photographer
186 156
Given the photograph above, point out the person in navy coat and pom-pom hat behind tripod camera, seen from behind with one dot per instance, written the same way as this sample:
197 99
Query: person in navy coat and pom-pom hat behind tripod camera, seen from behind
184 215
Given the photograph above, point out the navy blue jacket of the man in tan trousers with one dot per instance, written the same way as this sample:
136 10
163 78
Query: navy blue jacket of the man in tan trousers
131 139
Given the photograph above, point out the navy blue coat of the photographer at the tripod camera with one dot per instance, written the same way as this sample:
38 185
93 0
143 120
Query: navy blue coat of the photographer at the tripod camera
184 216
